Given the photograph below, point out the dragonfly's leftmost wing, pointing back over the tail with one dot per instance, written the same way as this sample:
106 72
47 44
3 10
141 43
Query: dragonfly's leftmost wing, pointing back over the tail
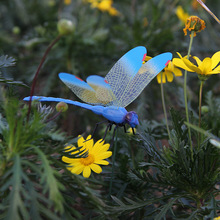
81 89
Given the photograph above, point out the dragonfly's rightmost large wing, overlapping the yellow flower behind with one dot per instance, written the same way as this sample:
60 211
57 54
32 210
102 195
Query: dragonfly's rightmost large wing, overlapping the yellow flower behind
144 76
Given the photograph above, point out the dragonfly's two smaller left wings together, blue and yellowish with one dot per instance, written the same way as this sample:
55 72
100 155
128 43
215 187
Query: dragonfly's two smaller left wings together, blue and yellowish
87 92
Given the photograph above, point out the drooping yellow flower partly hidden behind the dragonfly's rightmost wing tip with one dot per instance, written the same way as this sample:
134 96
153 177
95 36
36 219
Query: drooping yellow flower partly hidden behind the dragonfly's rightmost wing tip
168 73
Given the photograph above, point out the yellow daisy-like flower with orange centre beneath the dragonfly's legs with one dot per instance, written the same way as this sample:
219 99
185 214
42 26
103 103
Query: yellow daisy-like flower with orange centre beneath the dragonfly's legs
97 153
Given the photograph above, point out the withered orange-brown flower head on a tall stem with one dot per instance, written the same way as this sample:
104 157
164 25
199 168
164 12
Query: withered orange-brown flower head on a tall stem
195 24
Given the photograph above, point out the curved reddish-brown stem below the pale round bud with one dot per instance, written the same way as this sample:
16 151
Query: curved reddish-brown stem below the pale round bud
38 70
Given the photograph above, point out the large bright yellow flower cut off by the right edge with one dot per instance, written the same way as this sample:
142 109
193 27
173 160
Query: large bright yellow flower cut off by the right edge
204 69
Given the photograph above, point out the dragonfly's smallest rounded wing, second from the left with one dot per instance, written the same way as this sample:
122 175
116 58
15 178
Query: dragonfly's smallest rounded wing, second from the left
102 88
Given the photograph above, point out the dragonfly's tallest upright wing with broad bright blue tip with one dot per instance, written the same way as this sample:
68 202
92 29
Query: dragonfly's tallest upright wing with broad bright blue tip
125 69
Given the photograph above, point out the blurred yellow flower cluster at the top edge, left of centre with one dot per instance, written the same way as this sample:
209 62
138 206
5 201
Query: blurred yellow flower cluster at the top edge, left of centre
104 6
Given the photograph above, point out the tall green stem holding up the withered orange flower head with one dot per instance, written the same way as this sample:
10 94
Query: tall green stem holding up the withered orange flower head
185 94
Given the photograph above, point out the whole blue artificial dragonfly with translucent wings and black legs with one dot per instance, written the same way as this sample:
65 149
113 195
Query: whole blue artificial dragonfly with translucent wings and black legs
109 96
